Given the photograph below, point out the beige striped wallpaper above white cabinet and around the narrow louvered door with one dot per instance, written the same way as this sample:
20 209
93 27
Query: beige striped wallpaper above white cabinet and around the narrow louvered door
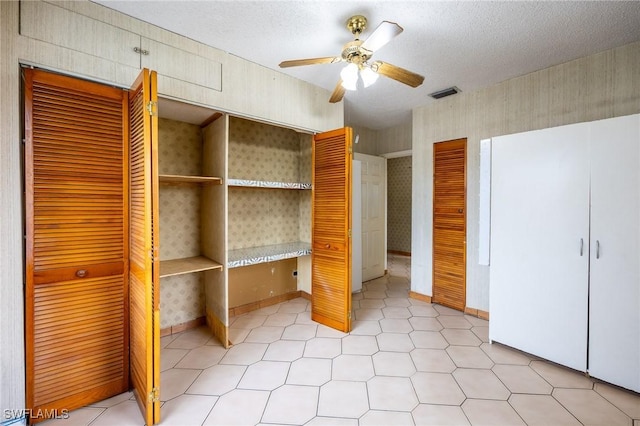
599 86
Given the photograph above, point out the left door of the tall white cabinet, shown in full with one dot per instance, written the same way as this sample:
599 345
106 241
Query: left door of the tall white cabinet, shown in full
539 243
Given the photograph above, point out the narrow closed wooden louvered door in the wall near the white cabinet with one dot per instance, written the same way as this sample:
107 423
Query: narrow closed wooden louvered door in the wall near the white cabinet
449 223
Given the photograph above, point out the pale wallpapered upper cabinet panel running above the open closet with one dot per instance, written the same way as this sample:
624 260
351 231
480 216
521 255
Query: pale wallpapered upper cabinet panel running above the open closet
89 39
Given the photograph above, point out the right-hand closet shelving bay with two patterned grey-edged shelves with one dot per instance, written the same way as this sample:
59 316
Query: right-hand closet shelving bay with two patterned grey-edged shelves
269 212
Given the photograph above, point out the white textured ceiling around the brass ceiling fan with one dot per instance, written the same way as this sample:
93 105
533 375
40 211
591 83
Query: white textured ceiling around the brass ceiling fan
470 44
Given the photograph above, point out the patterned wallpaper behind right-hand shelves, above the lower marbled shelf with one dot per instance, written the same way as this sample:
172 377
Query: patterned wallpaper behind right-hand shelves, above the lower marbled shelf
259 217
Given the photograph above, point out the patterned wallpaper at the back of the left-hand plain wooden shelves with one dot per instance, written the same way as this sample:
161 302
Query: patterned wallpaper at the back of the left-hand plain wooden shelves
179 152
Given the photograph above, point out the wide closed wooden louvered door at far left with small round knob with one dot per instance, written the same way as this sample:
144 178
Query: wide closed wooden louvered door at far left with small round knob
76 219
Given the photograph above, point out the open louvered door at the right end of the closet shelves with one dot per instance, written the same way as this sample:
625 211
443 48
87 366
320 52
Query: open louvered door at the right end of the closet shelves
331 227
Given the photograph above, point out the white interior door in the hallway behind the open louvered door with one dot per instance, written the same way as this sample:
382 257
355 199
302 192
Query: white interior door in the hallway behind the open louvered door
374 221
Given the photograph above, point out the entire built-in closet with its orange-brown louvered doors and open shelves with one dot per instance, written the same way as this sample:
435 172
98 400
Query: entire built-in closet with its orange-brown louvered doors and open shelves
138 205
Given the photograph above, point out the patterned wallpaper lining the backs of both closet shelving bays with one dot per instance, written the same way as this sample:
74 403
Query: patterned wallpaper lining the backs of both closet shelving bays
256 216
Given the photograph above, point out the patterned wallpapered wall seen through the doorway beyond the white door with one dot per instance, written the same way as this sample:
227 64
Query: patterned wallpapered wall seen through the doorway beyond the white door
399 204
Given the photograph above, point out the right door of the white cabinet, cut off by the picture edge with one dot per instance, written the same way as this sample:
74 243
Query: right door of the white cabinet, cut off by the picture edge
614 301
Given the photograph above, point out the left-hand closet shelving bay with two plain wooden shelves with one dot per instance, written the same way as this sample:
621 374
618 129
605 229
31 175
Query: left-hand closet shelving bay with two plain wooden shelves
191 193
